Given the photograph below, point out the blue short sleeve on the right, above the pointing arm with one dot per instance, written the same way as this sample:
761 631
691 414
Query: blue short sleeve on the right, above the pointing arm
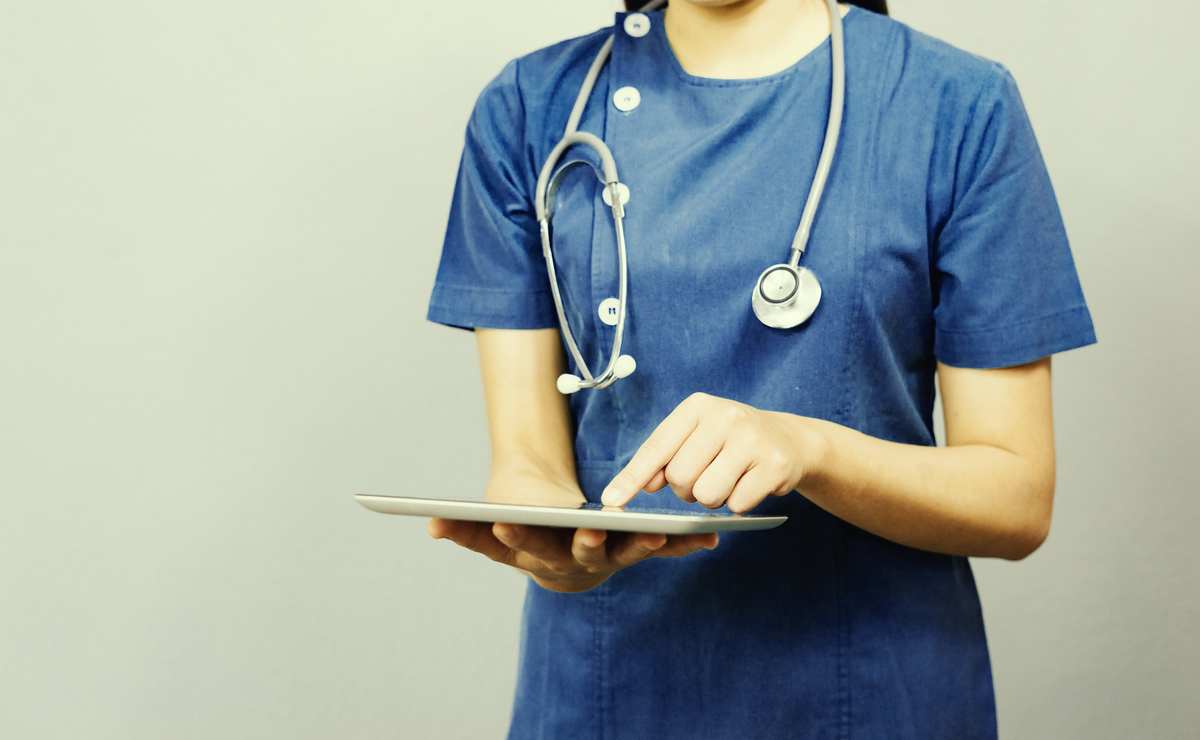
1005 282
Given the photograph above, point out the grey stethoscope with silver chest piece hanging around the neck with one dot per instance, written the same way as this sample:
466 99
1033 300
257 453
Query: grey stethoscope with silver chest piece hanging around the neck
785 294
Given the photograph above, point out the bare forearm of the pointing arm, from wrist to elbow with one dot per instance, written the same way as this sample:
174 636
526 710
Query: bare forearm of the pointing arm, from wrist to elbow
970 500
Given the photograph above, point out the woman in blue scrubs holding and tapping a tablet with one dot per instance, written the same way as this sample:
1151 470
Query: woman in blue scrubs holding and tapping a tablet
939 254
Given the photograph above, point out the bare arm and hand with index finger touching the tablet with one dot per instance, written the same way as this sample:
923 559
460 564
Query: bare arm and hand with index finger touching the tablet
988 494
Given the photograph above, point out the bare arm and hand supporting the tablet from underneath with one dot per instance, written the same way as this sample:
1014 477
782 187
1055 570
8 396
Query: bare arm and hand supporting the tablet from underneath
533 455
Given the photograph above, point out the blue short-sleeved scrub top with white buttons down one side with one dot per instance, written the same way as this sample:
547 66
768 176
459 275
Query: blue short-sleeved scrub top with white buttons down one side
939 238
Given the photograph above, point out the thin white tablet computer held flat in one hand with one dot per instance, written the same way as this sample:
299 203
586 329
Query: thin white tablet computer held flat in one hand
572 515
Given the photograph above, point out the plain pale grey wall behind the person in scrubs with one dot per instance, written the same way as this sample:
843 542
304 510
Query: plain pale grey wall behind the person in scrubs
219 227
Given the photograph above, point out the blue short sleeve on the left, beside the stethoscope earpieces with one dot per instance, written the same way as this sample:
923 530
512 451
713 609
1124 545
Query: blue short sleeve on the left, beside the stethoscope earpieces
491 274
